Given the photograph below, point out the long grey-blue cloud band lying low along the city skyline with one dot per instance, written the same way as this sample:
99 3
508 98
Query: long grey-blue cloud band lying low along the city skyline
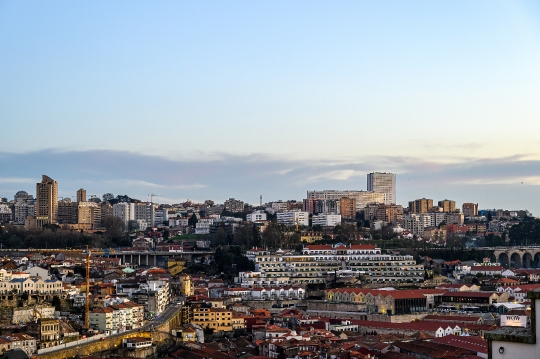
495 182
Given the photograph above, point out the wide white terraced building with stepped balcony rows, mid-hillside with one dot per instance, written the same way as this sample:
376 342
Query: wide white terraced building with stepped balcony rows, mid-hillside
321 263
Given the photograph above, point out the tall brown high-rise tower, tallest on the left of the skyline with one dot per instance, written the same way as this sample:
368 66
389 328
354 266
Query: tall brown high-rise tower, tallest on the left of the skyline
46 207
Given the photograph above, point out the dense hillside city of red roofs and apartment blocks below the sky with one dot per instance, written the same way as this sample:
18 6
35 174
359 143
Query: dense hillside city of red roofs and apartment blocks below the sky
284 279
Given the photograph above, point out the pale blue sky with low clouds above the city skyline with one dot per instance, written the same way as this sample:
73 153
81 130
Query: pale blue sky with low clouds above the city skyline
211 100
